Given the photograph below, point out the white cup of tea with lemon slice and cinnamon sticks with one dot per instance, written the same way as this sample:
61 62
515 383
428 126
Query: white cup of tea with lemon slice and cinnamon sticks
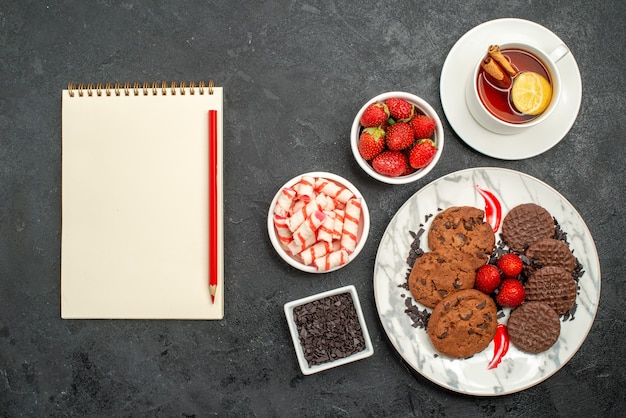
514 86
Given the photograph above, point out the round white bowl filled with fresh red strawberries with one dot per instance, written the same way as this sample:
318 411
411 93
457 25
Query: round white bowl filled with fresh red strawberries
397 137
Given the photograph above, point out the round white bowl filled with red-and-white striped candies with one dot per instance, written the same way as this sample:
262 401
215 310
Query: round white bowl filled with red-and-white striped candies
318 222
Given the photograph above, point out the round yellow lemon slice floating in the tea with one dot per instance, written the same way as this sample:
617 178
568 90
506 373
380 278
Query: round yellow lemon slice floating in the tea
531 93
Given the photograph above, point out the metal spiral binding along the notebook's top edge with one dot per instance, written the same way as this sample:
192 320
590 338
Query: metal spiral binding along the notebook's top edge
136 89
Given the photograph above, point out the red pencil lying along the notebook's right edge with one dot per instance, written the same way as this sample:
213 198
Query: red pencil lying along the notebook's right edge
213 232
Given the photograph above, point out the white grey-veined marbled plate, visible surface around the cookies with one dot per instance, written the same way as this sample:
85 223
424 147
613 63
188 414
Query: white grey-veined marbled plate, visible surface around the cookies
518 370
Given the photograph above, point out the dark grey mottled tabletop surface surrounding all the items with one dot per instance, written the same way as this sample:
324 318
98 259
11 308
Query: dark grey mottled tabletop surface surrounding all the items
294 73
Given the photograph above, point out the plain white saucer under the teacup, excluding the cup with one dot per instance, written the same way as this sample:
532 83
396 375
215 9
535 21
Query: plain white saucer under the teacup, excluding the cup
533 141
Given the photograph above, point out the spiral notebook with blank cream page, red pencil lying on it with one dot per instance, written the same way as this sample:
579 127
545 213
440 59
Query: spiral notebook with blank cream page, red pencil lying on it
138 222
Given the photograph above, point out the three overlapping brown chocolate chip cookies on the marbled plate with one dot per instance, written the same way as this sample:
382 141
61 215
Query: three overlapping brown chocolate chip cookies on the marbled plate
464 320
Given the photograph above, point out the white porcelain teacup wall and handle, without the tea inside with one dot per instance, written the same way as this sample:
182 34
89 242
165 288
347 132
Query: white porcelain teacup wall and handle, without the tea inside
492 122
